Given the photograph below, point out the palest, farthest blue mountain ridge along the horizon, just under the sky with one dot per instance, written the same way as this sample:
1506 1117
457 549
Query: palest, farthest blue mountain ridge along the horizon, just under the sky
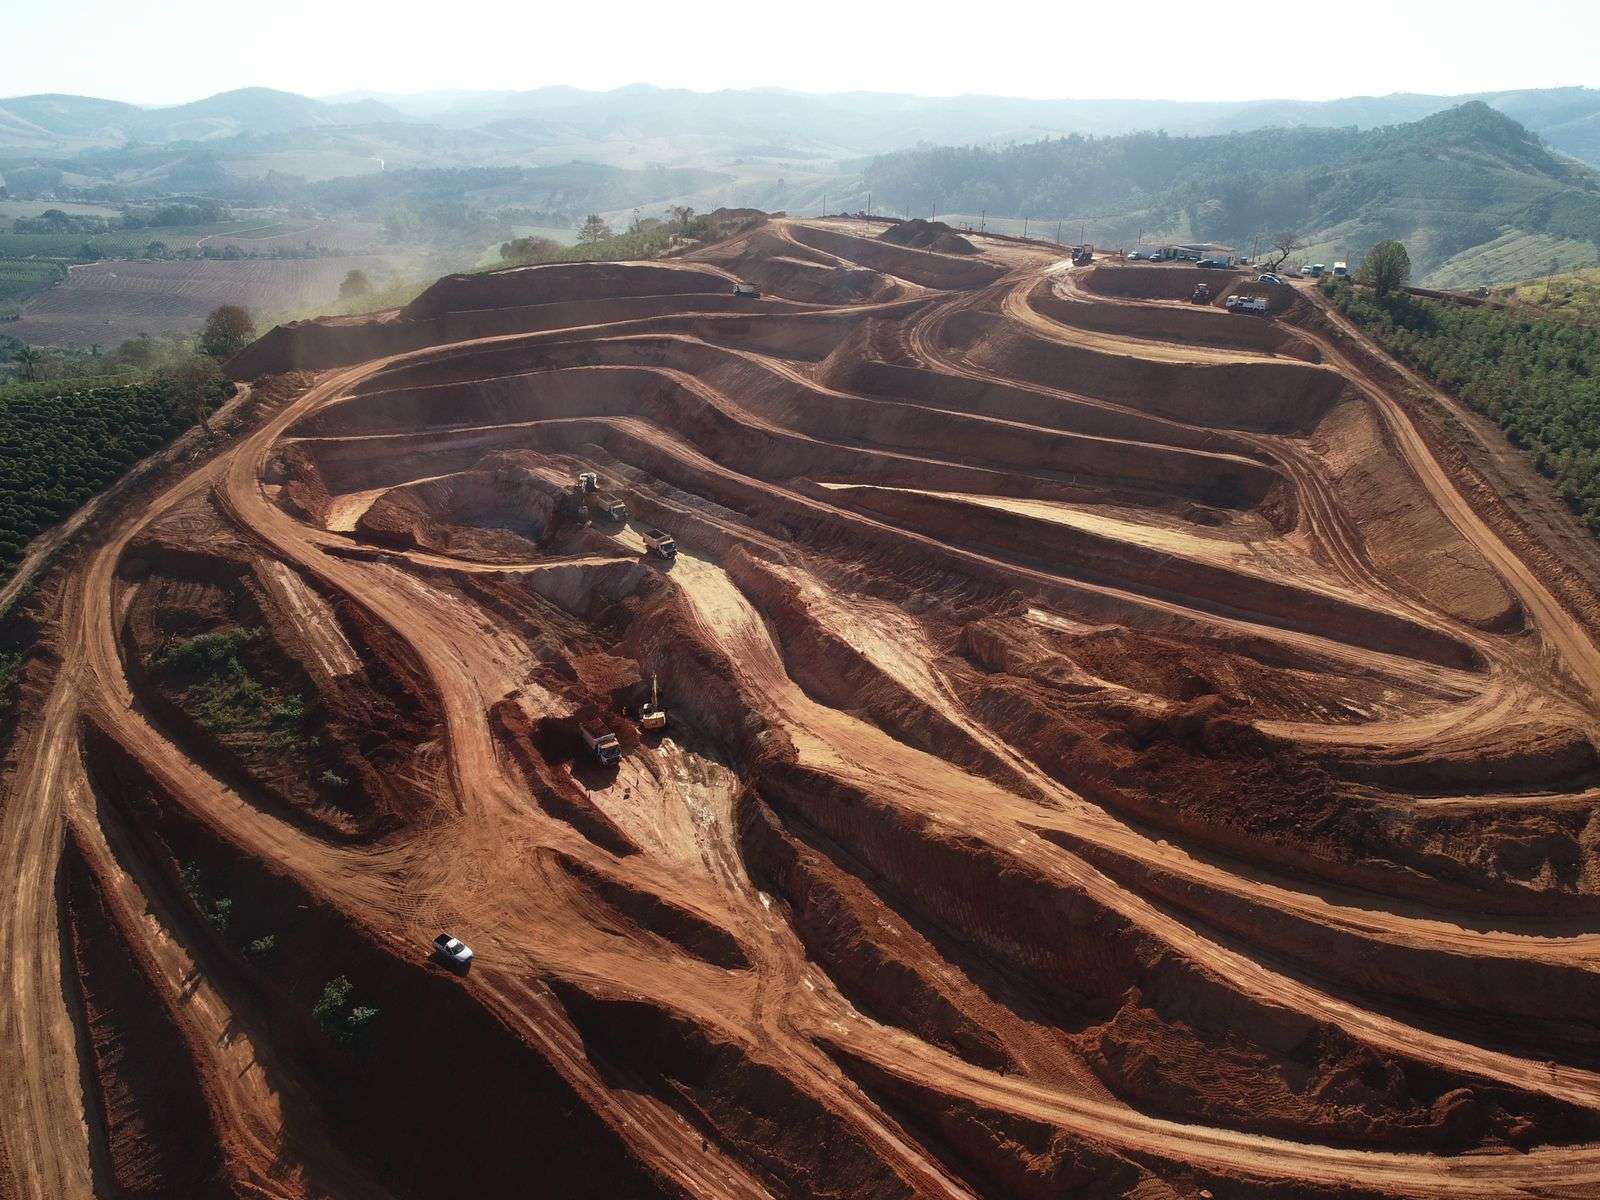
694 127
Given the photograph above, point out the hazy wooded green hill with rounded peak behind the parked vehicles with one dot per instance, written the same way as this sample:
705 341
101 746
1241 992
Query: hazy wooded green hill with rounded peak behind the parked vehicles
1473 194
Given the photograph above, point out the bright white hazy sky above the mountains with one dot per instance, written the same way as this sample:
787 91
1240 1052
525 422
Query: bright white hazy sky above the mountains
178 50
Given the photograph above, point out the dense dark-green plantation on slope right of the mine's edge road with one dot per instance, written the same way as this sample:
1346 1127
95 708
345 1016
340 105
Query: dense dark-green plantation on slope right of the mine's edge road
1535 375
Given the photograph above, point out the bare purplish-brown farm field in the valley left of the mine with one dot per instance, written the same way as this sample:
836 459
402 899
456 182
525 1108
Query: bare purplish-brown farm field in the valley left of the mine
105 303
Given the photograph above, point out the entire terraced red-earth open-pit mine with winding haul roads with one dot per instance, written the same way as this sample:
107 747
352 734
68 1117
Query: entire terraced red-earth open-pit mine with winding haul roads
1108 756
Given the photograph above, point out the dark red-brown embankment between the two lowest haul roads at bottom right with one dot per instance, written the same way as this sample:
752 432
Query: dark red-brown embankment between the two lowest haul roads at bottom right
1156 1028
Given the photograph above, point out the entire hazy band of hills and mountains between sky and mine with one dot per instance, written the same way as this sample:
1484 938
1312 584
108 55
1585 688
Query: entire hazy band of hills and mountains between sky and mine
1490 190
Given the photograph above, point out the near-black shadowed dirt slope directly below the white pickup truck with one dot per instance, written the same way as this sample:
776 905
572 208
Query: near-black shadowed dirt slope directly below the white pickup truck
513 1122
